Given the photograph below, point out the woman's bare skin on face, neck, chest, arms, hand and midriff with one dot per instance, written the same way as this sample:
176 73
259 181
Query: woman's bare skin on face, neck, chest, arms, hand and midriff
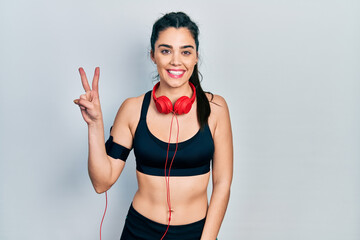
188 194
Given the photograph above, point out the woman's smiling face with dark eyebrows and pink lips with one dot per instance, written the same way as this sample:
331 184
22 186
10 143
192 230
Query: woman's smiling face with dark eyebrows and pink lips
175 56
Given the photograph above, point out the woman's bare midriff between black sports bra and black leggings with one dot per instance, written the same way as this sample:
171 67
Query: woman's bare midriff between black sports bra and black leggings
188 195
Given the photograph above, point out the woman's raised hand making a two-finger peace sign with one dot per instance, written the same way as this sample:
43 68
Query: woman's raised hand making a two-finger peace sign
89 102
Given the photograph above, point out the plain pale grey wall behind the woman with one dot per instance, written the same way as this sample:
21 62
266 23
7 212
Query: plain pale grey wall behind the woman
289 71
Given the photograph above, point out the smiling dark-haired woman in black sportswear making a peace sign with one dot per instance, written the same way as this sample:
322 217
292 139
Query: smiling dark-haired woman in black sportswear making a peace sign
177 131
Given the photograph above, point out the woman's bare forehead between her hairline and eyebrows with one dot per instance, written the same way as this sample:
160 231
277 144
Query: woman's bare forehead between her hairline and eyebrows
175 37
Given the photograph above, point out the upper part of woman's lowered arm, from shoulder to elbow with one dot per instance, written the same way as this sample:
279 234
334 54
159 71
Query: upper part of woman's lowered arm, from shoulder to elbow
222 135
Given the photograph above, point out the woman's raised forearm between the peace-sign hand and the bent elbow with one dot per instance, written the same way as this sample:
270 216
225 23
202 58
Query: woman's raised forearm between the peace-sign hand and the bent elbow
99 165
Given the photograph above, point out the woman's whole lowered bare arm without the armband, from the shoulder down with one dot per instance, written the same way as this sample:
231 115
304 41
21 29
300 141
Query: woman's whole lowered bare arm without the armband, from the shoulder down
222 170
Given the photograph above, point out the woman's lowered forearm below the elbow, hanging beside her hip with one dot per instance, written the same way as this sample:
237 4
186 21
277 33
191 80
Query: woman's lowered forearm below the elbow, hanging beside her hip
216 211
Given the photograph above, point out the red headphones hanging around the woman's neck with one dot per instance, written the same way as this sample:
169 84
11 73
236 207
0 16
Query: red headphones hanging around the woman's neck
181 106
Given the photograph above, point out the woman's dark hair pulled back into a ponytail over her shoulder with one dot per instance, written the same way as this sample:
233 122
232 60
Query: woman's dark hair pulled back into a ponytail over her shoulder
179 20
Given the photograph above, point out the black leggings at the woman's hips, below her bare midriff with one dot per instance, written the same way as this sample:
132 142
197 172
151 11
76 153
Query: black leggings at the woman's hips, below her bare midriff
138 227
